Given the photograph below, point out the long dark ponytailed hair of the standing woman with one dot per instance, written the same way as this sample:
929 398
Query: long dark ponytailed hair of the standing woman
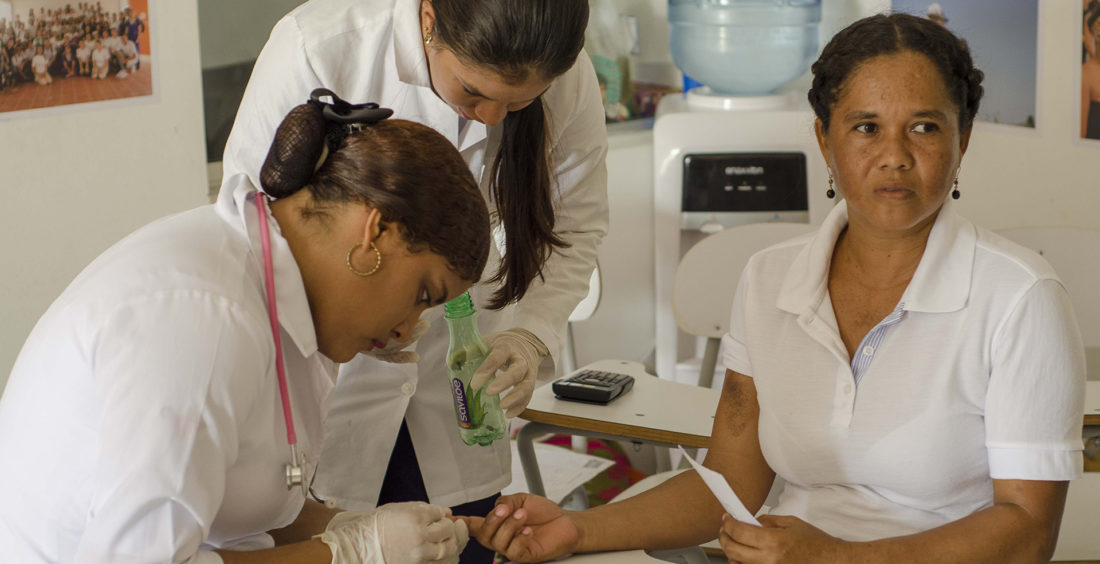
513 39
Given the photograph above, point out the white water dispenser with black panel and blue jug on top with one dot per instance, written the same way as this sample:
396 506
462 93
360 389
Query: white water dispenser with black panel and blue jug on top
739 150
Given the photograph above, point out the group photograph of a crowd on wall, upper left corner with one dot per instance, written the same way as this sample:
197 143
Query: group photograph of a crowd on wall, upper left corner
57 53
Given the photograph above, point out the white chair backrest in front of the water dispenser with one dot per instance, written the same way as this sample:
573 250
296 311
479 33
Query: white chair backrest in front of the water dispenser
708 275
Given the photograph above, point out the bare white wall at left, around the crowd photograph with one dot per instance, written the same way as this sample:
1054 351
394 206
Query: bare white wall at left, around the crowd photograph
76 180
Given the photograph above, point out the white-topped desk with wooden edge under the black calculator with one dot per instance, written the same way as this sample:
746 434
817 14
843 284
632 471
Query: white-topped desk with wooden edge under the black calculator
655 412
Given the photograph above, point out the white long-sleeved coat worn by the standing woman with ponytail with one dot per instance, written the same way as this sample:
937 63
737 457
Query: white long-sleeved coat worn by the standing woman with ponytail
372 51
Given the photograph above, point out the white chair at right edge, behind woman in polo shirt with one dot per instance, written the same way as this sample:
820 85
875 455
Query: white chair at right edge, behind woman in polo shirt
1075 256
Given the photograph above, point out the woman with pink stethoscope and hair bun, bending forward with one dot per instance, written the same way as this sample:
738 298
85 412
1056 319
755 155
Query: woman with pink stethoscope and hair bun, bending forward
153 405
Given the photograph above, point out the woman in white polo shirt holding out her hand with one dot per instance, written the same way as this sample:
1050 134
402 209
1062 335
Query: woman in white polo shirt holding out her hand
917 381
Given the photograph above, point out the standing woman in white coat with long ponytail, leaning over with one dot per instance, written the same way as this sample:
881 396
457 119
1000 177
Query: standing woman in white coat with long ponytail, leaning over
507 82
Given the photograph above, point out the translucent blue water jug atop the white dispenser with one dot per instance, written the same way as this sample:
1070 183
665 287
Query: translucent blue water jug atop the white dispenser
744 48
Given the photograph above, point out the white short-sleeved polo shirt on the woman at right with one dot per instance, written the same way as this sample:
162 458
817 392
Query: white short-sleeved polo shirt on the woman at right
982 379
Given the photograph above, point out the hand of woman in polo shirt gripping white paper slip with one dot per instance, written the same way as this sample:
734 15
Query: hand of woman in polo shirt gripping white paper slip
783 539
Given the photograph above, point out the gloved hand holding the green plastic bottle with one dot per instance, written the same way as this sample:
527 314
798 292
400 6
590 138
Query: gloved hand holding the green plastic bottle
519 353
